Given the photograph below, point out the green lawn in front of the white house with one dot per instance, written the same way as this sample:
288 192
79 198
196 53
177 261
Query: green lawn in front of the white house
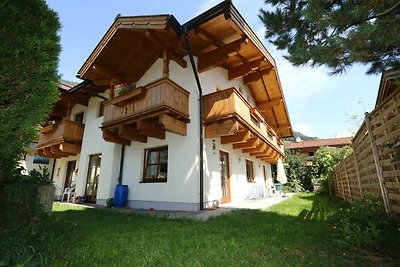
292 233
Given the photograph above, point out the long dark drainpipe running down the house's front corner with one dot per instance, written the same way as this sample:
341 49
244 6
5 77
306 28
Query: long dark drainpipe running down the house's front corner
200 114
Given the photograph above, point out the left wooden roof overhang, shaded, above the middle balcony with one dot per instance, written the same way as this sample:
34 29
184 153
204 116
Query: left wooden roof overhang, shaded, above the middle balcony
129 41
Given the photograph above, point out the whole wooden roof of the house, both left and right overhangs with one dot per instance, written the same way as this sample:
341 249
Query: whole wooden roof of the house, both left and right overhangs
219 37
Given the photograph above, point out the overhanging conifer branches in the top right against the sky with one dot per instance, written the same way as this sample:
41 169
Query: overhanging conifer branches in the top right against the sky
336 33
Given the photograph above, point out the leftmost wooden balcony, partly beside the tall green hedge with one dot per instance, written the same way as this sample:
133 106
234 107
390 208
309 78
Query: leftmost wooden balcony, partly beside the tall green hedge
62 139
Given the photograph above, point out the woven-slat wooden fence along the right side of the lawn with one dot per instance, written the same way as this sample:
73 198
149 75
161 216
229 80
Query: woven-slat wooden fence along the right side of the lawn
373 167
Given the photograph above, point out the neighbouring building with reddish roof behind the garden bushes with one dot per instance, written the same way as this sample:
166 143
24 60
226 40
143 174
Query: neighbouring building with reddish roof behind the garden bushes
310 147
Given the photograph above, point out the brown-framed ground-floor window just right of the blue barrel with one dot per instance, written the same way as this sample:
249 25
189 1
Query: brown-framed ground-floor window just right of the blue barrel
155 164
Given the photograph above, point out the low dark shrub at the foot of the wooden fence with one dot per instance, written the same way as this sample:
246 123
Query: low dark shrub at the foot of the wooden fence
364 224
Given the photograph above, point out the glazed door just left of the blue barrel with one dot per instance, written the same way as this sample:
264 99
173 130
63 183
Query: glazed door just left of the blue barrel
93 175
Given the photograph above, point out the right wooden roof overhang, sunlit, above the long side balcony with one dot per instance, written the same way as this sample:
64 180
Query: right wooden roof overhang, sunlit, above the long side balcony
220 37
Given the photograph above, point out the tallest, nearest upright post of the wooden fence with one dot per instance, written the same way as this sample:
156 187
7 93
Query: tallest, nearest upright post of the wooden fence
378 166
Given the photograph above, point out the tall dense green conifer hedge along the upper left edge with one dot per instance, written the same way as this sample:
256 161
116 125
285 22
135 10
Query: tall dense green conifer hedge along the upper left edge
29 50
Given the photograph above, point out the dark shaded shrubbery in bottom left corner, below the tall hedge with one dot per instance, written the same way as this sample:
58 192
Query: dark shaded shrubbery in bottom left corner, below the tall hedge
22 220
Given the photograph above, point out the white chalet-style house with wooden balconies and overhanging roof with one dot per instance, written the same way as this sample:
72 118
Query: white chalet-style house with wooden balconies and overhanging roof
188 116
